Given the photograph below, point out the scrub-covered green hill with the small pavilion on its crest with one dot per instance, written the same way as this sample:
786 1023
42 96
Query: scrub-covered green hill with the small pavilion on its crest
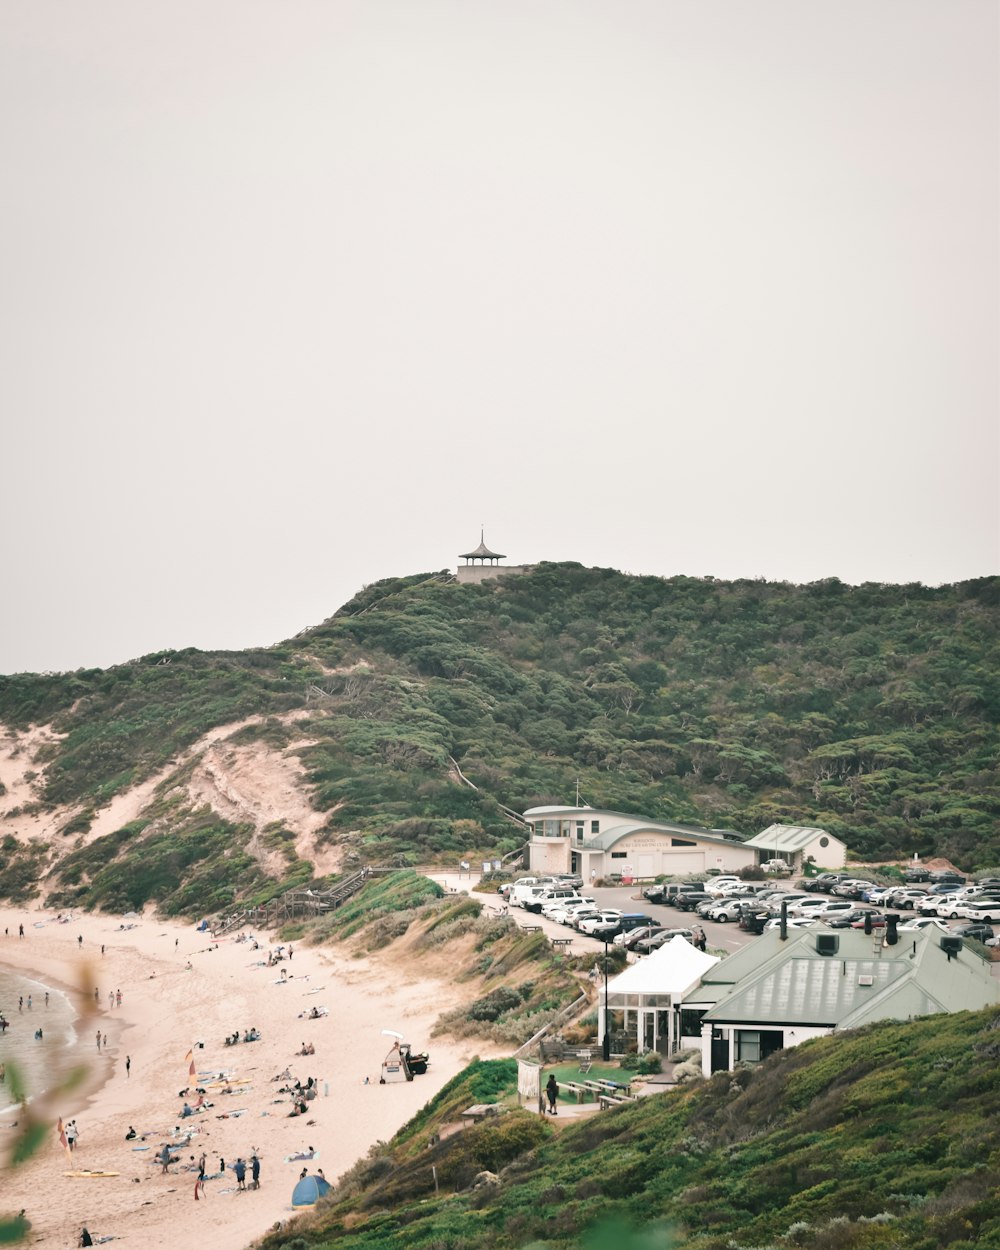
869 711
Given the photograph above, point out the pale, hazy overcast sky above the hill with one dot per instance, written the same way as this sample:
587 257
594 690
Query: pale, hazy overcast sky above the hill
298 294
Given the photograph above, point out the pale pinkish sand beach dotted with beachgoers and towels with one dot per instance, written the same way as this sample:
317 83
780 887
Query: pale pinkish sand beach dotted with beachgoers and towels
169 1008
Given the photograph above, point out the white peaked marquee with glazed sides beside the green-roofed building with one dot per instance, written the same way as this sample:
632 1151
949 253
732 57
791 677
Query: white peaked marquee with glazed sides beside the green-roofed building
652 992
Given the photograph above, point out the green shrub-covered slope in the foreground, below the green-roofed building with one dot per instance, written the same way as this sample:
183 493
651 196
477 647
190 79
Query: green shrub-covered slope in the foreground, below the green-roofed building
888 1139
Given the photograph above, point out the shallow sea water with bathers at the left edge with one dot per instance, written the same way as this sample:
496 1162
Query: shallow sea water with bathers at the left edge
39 1061
